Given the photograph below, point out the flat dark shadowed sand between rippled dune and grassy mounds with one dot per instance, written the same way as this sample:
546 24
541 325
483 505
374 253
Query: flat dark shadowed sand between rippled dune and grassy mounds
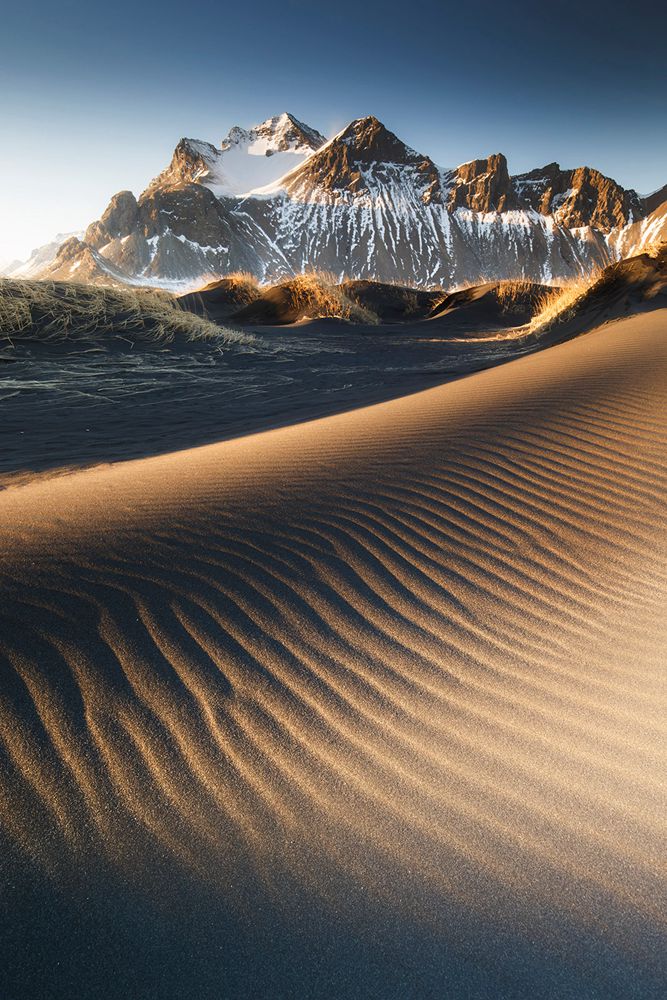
64 408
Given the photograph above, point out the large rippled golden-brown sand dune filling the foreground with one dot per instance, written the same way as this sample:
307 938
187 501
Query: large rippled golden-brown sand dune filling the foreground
397 673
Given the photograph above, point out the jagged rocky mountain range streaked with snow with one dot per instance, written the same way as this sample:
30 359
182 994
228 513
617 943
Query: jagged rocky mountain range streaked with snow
277 199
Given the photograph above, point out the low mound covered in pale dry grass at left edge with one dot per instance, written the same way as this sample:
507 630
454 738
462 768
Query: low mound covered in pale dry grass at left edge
58 311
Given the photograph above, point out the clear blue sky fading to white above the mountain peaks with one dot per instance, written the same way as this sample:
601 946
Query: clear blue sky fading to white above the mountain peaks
93 98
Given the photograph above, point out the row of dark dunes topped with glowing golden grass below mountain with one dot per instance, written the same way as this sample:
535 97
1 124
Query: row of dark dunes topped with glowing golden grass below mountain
636 284
